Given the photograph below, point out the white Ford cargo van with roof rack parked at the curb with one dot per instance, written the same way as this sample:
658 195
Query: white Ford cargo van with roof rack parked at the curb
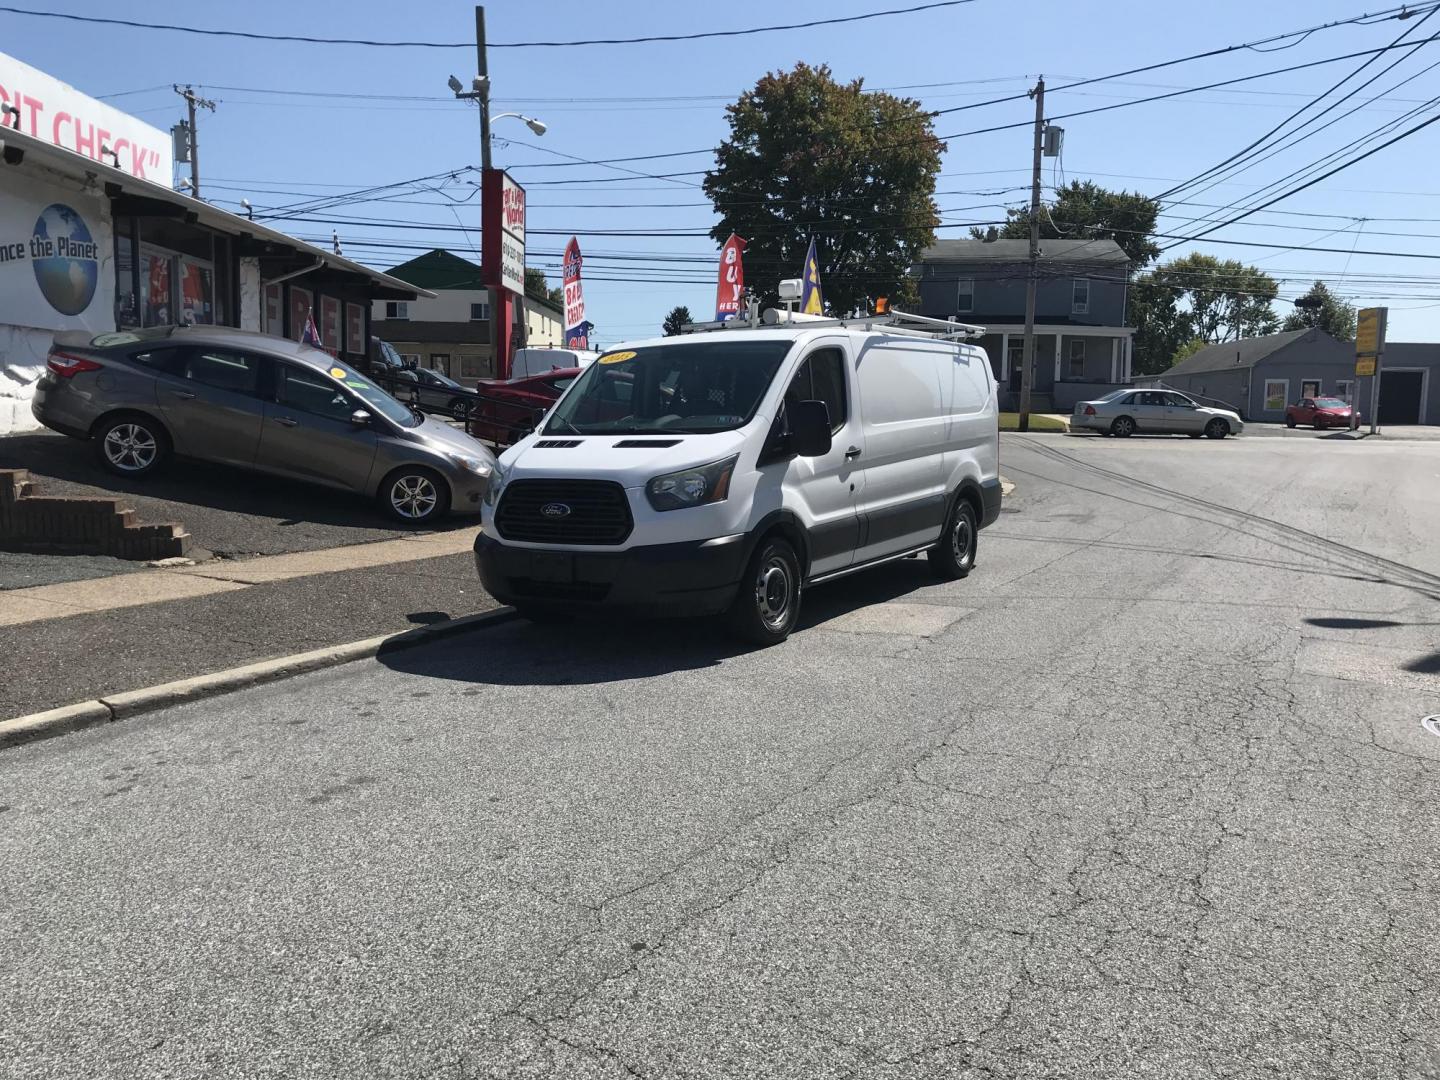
725 470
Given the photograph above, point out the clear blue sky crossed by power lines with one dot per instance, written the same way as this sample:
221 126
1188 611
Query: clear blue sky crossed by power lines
616 102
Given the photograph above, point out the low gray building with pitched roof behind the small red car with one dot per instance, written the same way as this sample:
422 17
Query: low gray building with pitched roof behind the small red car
1259 377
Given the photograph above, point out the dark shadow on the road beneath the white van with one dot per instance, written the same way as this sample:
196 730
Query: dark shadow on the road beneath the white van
606 647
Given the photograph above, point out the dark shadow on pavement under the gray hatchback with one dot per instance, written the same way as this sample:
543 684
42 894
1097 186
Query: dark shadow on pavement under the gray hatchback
63 466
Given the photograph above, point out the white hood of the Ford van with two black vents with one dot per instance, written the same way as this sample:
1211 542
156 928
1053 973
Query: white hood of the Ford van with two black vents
630 460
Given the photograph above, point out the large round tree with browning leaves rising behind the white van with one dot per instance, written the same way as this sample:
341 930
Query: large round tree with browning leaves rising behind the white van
809 156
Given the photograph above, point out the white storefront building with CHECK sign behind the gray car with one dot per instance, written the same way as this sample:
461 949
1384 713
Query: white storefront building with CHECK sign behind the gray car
93 238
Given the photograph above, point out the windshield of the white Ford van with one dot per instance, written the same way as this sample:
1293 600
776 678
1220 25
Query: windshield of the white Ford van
692 388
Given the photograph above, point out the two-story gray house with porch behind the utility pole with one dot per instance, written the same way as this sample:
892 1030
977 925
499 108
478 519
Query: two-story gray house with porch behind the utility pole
1082 345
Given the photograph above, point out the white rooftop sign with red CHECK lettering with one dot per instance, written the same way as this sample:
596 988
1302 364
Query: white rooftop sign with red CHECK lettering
60 114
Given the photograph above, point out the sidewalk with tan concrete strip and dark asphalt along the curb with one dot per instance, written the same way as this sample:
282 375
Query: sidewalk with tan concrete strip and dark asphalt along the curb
86 640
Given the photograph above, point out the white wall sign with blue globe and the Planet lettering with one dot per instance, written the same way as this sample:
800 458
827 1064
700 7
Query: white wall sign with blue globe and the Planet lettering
57 258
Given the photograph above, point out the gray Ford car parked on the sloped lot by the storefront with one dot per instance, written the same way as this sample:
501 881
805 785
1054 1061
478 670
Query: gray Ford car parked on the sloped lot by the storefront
261 402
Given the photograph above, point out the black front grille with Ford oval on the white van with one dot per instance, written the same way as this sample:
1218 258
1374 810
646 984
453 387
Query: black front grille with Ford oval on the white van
565 512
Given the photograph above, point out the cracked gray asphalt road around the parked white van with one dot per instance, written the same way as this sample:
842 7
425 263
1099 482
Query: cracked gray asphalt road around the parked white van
1148 796
